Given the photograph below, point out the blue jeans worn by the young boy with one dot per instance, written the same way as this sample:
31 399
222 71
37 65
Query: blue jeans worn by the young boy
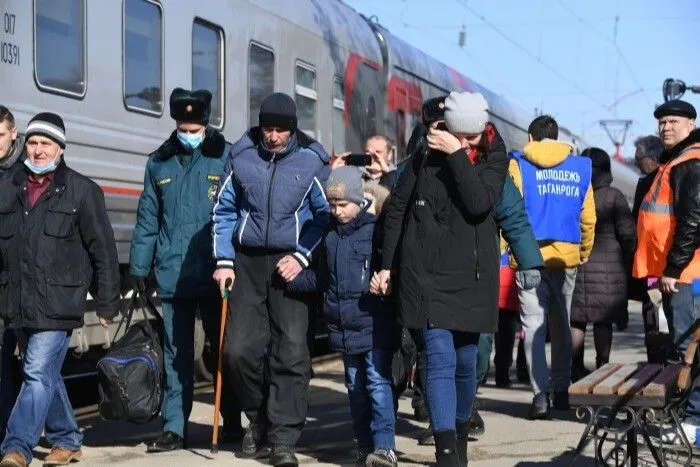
368 379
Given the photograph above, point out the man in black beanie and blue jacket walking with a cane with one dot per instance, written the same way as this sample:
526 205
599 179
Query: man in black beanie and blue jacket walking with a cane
269 218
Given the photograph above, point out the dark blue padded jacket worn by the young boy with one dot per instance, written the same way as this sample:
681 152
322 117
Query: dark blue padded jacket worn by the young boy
357 321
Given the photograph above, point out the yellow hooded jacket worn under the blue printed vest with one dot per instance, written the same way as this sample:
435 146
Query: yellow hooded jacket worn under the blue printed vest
556 254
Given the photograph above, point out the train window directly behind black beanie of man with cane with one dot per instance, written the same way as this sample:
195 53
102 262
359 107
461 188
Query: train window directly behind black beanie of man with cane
261 79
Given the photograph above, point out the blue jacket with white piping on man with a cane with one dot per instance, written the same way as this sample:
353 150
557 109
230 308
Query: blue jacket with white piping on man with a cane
271 200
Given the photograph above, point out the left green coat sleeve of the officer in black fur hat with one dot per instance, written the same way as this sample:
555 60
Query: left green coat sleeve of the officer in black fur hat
143 242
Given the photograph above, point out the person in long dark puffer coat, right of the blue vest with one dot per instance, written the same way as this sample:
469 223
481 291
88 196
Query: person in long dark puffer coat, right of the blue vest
600 296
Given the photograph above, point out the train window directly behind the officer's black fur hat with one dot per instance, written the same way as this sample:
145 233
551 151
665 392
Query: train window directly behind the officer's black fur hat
208 66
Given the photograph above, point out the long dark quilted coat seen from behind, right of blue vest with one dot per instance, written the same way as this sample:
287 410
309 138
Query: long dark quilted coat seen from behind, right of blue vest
601 284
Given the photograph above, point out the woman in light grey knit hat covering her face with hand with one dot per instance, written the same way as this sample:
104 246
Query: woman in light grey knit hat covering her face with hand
440 247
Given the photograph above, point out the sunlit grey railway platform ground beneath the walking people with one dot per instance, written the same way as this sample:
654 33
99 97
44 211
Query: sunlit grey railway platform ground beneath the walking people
510 439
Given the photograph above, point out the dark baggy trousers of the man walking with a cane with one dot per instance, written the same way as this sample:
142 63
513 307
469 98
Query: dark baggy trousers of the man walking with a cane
266 336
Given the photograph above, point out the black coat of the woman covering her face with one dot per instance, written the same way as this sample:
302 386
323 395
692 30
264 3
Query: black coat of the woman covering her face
441 241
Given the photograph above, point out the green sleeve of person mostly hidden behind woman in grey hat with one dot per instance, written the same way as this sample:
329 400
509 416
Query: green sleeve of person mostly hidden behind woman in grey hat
512 220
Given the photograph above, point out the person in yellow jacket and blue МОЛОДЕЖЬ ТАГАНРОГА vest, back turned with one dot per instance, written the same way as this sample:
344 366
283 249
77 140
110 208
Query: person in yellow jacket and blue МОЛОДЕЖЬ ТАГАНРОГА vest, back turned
556 187
